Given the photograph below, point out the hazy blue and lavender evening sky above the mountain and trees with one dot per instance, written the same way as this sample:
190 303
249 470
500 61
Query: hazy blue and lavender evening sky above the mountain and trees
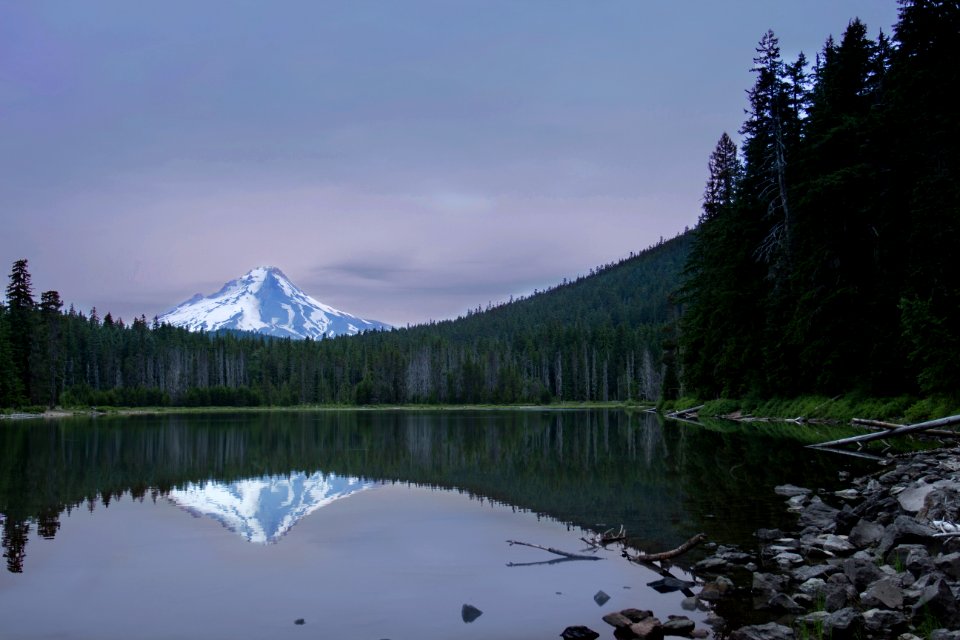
402 160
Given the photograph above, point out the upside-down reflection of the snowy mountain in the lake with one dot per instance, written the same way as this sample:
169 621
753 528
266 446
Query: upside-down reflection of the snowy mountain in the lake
263 509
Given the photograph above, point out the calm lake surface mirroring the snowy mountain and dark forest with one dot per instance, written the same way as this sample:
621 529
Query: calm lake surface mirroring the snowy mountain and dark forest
370 524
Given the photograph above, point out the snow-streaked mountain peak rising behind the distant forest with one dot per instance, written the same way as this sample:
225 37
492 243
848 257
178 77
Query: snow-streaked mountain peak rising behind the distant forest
265 301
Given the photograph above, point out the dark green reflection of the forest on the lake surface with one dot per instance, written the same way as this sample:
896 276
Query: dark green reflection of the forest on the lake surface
588 468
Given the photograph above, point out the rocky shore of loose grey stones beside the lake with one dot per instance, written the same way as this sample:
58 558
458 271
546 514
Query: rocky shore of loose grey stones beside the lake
877 560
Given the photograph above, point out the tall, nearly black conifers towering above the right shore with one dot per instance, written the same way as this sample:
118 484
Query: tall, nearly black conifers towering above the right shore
823 260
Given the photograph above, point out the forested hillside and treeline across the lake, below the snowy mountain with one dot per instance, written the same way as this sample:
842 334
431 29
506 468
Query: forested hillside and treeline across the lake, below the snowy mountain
597 338
